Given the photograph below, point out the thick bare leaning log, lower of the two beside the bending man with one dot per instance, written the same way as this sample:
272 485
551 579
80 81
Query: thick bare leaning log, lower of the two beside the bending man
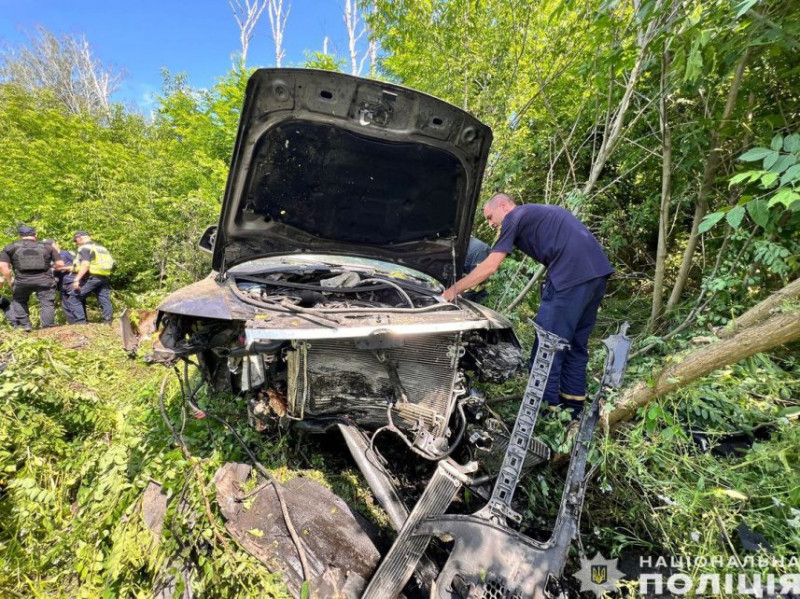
777 330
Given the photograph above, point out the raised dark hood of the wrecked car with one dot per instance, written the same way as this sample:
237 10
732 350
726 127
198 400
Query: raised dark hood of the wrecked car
335 164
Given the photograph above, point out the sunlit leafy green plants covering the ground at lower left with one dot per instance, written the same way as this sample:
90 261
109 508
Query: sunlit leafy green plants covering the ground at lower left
81 437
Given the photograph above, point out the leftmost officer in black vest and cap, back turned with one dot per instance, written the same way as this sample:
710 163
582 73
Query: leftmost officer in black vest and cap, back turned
31 263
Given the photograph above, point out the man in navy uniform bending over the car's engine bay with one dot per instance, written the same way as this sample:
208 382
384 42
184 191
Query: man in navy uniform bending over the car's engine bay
577 272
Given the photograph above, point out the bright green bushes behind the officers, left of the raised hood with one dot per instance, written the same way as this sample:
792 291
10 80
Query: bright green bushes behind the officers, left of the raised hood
145 189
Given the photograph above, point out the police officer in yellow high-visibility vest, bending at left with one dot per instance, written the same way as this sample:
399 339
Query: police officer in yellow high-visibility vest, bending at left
95 264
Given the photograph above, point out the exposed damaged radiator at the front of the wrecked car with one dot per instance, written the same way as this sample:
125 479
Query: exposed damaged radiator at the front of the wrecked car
337 376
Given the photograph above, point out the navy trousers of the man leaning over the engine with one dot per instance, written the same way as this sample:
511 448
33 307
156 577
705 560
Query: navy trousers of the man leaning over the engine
571 314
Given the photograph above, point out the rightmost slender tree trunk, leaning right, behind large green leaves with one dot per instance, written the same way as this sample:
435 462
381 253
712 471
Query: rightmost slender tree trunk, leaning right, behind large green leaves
707 186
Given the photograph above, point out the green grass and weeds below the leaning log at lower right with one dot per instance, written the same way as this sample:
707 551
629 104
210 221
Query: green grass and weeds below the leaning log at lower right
678 497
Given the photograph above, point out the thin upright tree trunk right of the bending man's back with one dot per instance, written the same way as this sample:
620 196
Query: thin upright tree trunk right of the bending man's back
666 197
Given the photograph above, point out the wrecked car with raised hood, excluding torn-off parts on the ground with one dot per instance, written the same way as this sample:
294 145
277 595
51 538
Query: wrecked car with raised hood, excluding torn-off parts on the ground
347 210
